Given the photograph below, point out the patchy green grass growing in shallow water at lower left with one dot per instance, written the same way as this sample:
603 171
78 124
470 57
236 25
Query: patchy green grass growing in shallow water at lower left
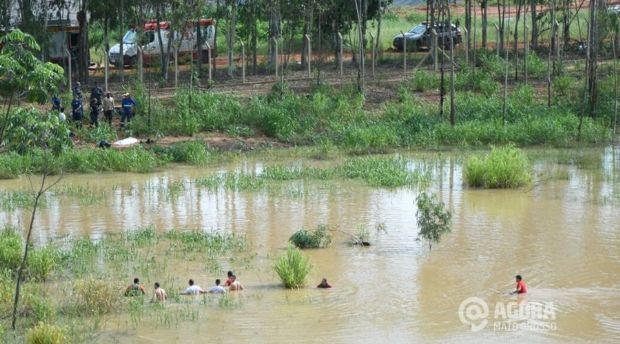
76 284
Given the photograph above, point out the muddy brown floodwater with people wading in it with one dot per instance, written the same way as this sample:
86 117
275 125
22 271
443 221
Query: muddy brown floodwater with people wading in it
562 234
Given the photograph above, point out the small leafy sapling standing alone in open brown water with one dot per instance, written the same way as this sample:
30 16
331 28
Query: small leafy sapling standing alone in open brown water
433 219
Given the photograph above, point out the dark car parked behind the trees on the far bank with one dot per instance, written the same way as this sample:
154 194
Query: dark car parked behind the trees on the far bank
420 37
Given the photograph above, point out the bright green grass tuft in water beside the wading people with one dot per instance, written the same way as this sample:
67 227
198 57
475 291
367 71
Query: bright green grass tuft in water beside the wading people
293 268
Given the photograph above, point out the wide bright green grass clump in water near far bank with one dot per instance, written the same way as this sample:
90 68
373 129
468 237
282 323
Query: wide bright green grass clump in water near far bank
503 168
